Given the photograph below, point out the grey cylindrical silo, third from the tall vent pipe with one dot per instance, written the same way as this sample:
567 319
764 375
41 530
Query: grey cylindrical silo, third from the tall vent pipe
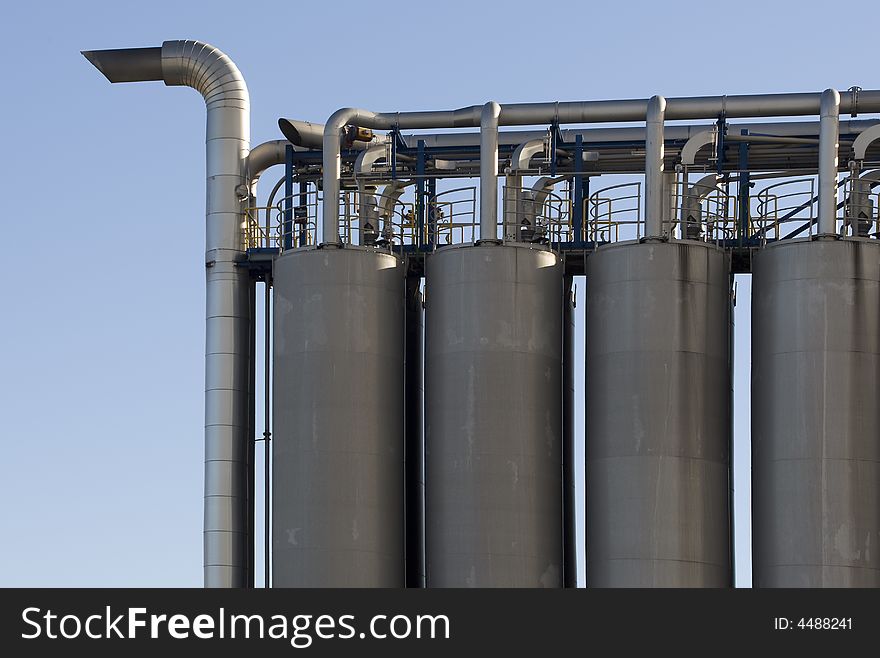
658 415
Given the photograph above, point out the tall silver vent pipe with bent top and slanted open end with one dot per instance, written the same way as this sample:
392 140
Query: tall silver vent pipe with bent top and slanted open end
227 369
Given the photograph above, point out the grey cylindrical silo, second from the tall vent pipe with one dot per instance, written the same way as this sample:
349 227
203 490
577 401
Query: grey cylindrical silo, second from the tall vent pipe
493 417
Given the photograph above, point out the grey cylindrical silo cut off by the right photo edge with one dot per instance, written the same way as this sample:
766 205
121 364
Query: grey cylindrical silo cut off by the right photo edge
815 414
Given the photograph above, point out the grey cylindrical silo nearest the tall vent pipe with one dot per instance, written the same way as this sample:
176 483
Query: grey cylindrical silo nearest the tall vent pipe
338 502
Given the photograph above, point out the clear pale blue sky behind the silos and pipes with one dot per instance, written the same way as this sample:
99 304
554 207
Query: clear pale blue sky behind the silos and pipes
102 276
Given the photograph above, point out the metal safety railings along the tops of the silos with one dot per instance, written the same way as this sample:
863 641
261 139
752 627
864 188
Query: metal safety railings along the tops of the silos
614 213
